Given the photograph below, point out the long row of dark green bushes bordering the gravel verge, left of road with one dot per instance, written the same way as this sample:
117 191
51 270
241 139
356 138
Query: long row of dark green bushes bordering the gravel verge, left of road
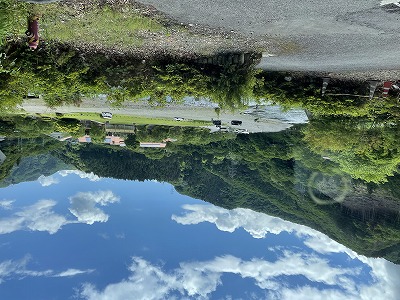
63 76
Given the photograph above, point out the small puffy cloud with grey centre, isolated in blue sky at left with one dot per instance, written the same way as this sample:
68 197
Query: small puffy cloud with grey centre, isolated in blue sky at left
83 206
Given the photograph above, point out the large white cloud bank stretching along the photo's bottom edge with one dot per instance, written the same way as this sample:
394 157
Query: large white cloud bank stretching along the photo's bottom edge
200 279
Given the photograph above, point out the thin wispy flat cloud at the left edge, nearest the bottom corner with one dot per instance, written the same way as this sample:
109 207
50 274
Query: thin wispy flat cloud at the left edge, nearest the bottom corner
18 269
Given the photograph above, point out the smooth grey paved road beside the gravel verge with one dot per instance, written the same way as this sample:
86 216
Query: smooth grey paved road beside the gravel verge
329 35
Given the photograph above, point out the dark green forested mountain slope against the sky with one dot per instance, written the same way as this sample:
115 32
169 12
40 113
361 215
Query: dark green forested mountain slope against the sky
275 173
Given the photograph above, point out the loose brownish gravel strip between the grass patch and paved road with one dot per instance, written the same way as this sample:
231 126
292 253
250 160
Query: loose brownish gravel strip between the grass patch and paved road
179 40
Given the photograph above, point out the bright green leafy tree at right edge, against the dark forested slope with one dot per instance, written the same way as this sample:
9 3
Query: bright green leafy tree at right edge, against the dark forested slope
363 149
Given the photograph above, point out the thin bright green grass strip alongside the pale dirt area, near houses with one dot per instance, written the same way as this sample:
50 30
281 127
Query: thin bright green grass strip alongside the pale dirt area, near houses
125 119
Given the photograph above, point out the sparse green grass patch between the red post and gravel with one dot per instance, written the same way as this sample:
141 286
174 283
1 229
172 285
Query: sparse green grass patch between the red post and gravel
103 26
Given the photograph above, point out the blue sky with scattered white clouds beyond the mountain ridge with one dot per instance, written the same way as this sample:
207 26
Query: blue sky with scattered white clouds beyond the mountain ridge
77 235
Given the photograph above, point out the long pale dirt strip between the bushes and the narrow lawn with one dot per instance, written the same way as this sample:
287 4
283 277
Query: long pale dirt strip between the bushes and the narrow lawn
185 111
